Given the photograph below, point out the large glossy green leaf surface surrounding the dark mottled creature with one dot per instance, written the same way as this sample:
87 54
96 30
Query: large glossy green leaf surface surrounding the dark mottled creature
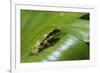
74 35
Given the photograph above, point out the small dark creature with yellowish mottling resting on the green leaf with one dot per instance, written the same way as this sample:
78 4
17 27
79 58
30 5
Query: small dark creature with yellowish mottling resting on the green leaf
49 40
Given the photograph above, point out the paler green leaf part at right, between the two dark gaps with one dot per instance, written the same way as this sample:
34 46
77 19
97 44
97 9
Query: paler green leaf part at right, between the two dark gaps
79 29
